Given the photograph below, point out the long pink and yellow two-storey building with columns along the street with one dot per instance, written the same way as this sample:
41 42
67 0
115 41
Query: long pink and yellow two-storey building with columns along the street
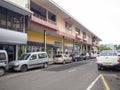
55 31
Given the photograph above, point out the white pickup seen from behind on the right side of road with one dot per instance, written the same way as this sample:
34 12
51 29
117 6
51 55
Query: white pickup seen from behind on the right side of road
108 58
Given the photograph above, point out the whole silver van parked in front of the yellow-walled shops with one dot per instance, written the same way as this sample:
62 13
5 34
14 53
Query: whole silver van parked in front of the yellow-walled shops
29 60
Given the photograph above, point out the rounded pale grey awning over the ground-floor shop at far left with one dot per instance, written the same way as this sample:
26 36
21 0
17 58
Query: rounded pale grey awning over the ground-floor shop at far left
12 37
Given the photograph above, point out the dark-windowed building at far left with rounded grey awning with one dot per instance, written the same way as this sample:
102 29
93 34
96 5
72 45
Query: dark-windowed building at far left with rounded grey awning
13 21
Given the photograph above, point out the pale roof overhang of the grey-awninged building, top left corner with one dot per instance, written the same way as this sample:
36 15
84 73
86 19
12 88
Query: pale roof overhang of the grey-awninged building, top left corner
14 7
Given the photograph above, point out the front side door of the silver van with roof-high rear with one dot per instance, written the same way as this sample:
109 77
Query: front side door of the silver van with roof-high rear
33 62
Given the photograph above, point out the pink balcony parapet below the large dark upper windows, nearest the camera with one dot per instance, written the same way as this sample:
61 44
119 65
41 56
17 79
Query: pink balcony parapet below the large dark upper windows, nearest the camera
44 22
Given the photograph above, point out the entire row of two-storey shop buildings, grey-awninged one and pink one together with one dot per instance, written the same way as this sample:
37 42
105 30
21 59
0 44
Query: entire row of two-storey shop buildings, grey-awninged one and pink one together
42 26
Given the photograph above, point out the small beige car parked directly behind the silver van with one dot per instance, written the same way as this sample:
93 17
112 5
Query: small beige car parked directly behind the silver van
62 58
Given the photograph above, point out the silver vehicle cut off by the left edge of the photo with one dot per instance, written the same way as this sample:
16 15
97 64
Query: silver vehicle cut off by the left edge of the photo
3 62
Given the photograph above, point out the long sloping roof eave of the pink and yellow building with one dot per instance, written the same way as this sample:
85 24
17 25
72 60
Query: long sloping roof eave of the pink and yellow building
64 14
